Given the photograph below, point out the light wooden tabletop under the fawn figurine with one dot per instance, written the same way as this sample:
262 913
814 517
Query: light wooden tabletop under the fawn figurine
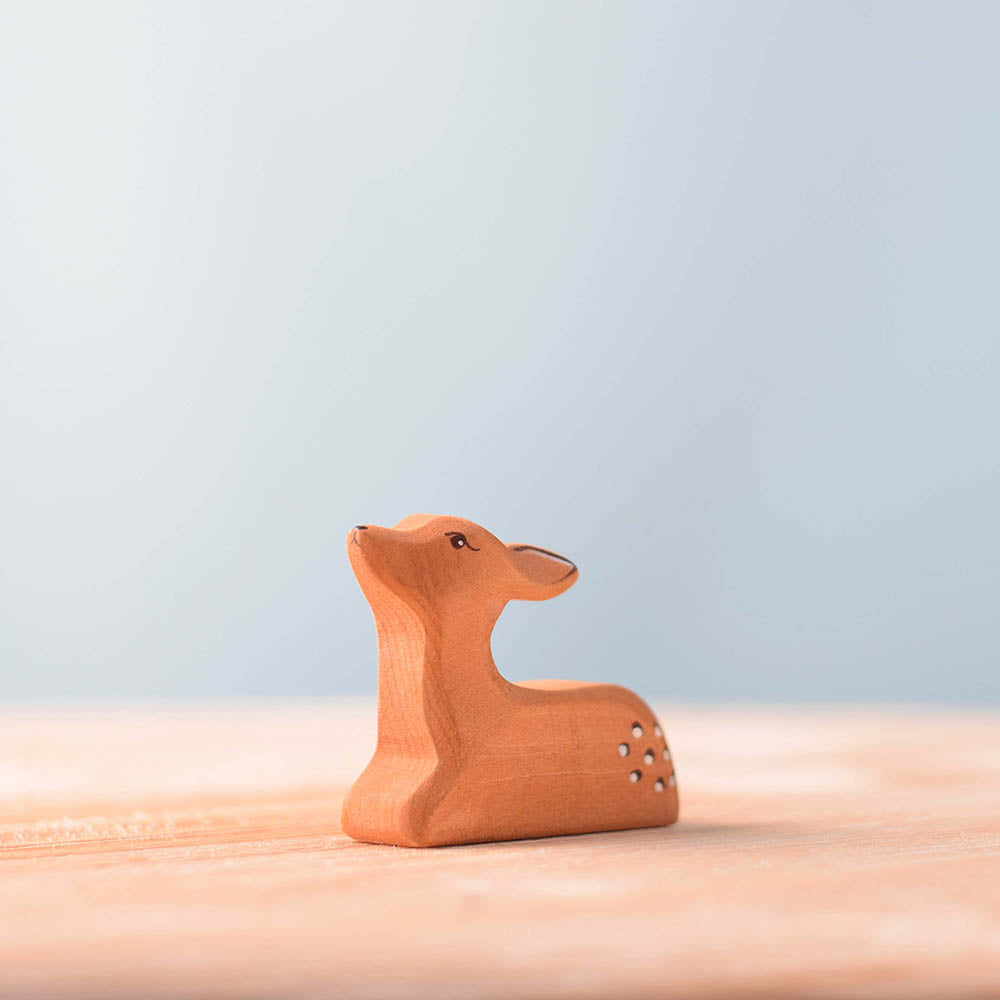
195 851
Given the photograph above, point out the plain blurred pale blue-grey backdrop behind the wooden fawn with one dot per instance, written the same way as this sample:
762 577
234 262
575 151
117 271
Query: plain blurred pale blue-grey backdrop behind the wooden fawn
702 295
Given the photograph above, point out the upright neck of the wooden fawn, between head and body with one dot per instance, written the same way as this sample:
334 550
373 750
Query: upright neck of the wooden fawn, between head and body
436 675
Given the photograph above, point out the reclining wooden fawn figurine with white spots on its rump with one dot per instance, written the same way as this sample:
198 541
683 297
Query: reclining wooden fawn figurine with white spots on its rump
463 755
